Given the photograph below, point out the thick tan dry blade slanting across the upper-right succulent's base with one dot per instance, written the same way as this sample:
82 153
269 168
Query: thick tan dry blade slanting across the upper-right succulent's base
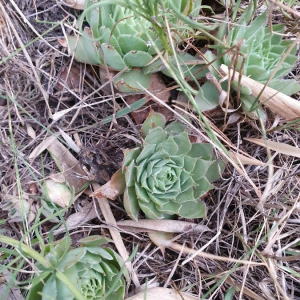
279 103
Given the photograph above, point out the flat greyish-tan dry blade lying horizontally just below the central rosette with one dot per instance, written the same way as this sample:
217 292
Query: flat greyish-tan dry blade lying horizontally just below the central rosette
171 226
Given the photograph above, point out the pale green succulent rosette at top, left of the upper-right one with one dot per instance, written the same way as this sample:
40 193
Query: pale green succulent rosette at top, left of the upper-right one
119 39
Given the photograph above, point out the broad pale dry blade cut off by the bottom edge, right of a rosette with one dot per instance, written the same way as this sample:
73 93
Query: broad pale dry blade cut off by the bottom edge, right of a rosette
162 294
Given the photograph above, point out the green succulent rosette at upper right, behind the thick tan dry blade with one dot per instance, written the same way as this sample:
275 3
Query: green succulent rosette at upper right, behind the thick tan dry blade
260 53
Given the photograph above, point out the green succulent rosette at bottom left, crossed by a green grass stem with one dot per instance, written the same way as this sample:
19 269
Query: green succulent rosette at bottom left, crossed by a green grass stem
94 270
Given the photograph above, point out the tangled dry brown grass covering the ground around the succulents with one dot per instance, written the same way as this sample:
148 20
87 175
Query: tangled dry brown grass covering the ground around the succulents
269 235
